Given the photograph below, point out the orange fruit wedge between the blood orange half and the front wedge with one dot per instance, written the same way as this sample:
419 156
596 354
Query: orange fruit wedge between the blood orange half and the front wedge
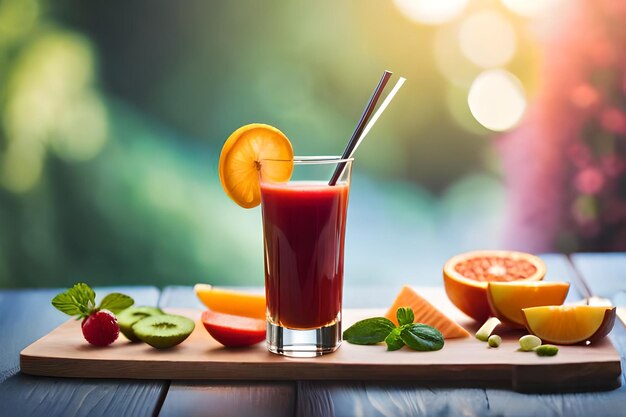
507 299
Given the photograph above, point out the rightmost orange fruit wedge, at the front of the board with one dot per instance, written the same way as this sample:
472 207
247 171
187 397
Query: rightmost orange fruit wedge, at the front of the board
569 325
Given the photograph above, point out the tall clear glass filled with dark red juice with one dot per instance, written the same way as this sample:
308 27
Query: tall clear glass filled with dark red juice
304 225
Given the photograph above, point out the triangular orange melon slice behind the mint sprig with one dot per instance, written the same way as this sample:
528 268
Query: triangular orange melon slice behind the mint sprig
425 313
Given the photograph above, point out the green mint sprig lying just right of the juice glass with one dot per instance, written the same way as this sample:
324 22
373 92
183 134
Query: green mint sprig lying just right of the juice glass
374 330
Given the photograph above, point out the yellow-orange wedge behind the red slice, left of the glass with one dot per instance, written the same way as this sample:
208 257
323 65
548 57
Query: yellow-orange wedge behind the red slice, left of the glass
232 302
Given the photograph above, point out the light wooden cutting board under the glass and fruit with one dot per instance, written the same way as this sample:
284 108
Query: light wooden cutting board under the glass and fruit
462 362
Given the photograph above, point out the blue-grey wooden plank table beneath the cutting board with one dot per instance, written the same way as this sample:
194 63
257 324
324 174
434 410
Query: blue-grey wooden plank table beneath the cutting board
26 315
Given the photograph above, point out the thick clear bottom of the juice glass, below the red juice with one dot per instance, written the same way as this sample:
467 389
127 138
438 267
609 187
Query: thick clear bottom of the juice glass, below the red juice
303 343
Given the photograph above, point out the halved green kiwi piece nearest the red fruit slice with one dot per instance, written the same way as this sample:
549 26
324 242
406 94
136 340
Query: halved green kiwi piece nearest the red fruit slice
163 331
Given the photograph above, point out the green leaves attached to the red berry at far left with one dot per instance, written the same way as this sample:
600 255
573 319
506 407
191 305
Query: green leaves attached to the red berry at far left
80 301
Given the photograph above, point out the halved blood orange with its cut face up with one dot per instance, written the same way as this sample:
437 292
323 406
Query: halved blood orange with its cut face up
466 276
